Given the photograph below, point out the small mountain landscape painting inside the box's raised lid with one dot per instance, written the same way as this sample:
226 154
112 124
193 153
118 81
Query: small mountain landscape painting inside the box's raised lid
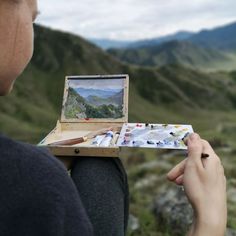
94 99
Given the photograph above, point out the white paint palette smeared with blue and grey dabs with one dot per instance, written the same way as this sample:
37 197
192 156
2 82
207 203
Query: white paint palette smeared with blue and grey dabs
164 136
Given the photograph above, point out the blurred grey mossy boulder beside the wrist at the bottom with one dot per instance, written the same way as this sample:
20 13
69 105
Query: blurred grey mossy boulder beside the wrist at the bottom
173 211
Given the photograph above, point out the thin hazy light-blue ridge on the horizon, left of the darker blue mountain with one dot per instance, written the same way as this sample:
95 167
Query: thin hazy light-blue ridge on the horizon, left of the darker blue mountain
181 35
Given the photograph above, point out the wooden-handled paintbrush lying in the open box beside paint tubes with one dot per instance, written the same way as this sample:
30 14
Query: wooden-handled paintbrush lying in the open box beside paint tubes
82 139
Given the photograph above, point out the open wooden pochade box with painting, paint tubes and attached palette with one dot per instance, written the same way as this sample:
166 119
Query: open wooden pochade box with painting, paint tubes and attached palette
94 121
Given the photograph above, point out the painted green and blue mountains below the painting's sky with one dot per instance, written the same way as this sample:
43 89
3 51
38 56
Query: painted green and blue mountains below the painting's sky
94 103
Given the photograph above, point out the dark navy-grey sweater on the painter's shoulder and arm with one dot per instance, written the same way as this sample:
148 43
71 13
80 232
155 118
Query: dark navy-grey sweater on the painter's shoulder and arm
37 197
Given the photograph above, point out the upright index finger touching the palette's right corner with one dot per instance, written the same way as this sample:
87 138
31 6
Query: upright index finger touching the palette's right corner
195 149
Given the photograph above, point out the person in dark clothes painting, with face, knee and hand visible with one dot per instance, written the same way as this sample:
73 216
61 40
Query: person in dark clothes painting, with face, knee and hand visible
37 196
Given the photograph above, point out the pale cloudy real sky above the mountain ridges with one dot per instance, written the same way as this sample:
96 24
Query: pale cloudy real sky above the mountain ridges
134 19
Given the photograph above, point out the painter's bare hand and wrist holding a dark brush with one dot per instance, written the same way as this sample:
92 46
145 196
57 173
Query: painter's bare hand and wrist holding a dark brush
205 186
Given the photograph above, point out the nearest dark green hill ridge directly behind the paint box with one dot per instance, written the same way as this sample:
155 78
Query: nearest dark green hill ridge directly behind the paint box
169 94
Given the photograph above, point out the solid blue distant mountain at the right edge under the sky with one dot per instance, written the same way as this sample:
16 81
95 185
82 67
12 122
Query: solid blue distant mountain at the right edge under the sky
221 38
